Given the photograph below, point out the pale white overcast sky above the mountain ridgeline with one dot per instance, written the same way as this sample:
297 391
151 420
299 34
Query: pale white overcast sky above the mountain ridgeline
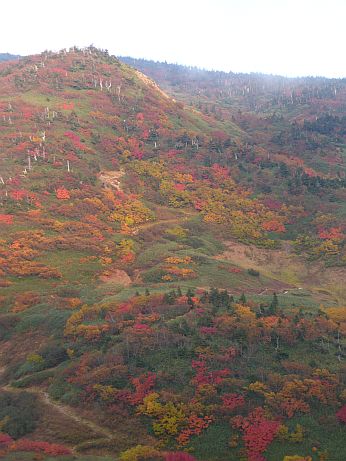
287 37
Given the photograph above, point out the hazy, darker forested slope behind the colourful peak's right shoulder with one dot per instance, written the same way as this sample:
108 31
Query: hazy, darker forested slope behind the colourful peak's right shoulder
302 116
